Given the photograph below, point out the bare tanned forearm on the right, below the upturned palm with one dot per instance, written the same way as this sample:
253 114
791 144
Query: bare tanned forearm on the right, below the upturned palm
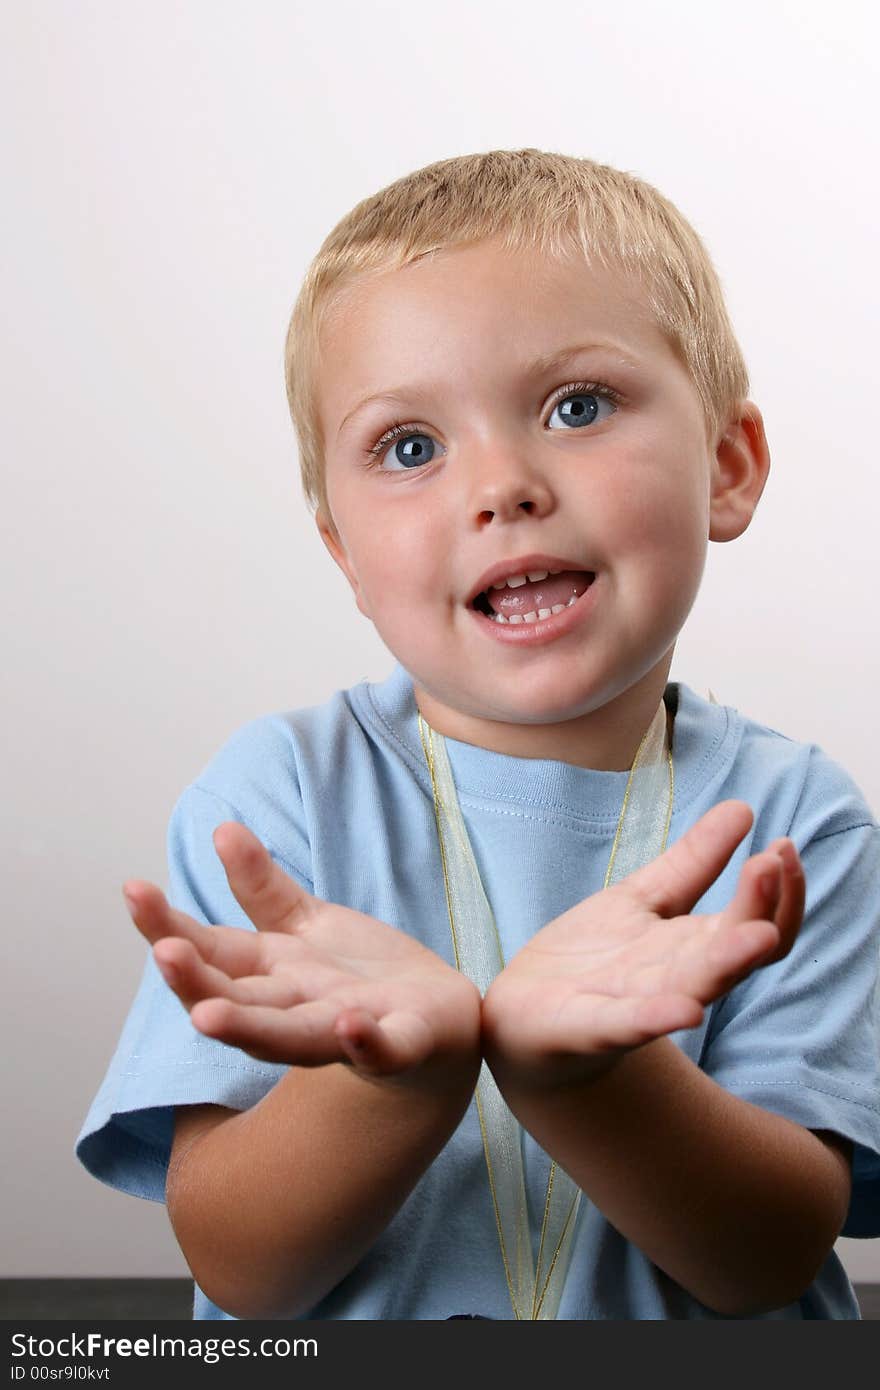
735 1204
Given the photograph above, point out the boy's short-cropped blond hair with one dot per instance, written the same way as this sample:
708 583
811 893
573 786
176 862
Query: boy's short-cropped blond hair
557 205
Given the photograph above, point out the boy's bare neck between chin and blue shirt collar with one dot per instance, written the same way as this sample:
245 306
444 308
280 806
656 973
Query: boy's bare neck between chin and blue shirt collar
605 739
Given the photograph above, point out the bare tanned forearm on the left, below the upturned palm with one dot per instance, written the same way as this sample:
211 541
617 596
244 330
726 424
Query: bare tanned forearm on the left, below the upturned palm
275 1206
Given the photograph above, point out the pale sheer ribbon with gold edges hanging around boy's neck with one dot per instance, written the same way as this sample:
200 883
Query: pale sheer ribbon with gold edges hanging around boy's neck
642 836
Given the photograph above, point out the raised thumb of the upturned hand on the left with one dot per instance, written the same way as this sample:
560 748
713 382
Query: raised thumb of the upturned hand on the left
272 899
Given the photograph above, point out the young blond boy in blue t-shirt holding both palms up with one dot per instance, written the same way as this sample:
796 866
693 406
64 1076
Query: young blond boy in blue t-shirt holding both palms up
523 983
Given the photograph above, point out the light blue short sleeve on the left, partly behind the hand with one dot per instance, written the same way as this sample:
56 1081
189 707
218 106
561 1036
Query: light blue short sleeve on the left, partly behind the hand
162 1060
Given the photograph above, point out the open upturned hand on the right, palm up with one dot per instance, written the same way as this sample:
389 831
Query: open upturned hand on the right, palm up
630 964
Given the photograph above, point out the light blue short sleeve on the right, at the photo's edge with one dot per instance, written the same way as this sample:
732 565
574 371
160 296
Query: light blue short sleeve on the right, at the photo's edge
803 1038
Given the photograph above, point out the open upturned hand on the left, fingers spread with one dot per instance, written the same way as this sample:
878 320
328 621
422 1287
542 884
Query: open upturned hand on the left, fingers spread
316 982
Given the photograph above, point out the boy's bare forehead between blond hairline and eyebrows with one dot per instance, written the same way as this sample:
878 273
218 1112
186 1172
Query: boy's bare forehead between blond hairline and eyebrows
475 316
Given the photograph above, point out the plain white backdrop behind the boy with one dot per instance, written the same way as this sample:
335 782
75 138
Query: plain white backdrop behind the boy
169 172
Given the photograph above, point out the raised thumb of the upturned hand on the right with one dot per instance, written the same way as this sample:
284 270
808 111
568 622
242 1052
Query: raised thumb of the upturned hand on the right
676 881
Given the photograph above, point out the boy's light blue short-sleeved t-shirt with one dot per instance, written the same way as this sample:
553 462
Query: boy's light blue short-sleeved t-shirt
341 796
